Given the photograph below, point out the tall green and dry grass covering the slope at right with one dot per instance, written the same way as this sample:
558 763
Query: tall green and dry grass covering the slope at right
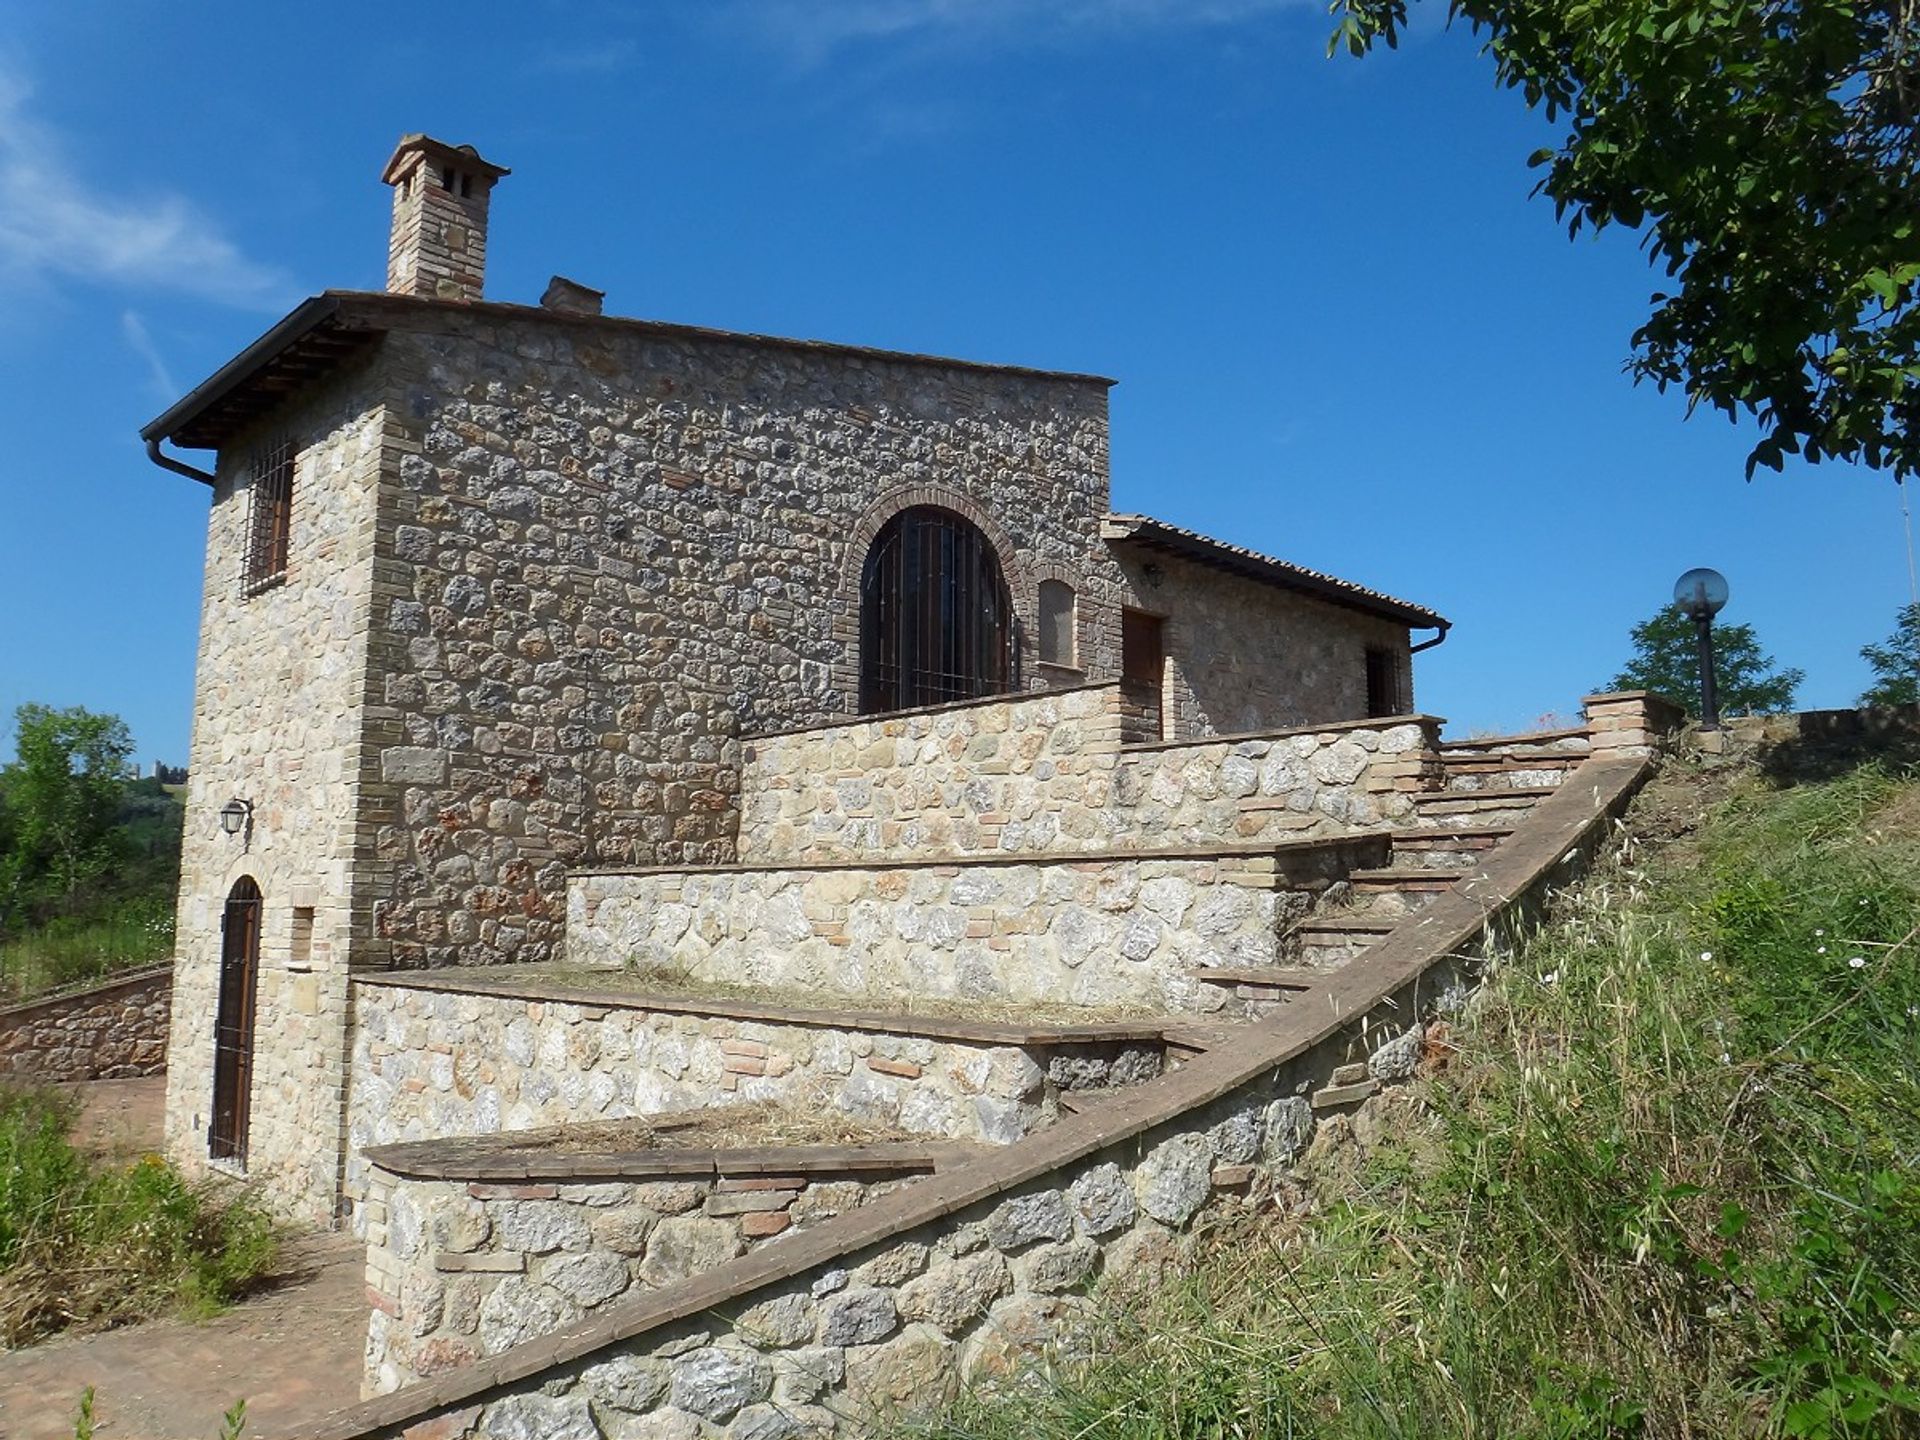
1668 1188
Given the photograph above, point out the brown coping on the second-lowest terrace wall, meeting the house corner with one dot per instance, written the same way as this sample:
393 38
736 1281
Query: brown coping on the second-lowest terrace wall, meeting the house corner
923 1028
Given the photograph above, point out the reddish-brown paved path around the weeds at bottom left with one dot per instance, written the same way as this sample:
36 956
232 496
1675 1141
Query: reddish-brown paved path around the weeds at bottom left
293 1353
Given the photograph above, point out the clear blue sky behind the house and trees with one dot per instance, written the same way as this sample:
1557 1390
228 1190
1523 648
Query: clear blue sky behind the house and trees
1343 329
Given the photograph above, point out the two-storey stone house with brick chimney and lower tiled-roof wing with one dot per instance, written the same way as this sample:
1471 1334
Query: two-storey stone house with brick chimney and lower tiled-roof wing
504 594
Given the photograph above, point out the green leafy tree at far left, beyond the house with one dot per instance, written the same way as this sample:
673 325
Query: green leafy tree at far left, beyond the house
60 802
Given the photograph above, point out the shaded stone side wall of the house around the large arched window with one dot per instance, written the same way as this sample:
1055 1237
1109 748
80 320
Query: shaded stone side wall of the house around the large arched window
613 546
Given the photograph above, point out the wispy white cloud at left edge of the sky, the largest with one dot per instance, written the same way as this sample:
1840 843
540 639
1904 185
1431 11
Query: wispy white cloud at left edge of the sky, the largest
55 226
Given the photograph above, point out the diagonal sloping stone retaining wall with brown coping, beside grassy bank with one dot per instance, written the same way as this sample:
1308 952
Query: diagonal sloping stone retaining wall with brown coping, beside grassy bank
972 1276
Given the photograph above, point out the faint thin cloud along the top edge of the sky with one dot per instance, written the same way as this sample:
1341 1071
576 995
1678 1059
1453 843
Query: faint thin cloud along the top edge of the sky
815 30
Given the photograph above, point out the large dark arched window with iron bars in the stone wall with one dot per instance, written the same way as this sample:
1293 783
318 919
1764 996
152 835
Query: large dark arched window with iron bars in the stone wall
936 617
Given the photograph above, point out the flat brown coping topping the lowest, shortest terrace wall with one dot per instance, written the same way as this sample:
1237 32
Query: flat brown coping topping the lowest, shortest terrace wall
458 1161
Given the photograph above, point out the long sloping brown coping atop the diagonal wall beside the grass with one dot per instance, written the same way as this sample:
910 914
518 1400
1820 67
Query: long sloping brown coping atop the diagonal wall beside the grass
1550 836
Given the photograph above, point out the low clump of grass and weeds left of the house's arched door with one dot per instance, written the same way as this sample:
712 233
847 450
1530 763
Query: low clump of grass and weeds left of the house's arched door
89 1243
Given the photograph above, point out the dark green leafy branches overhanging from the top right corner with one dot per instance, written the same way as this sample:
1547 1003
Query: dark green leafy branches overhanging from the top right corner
1769 158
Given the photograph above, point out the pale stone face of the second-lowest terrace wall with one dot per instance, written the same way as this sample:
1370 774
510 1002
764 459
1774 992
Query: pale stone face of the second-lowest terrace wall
439 1063
